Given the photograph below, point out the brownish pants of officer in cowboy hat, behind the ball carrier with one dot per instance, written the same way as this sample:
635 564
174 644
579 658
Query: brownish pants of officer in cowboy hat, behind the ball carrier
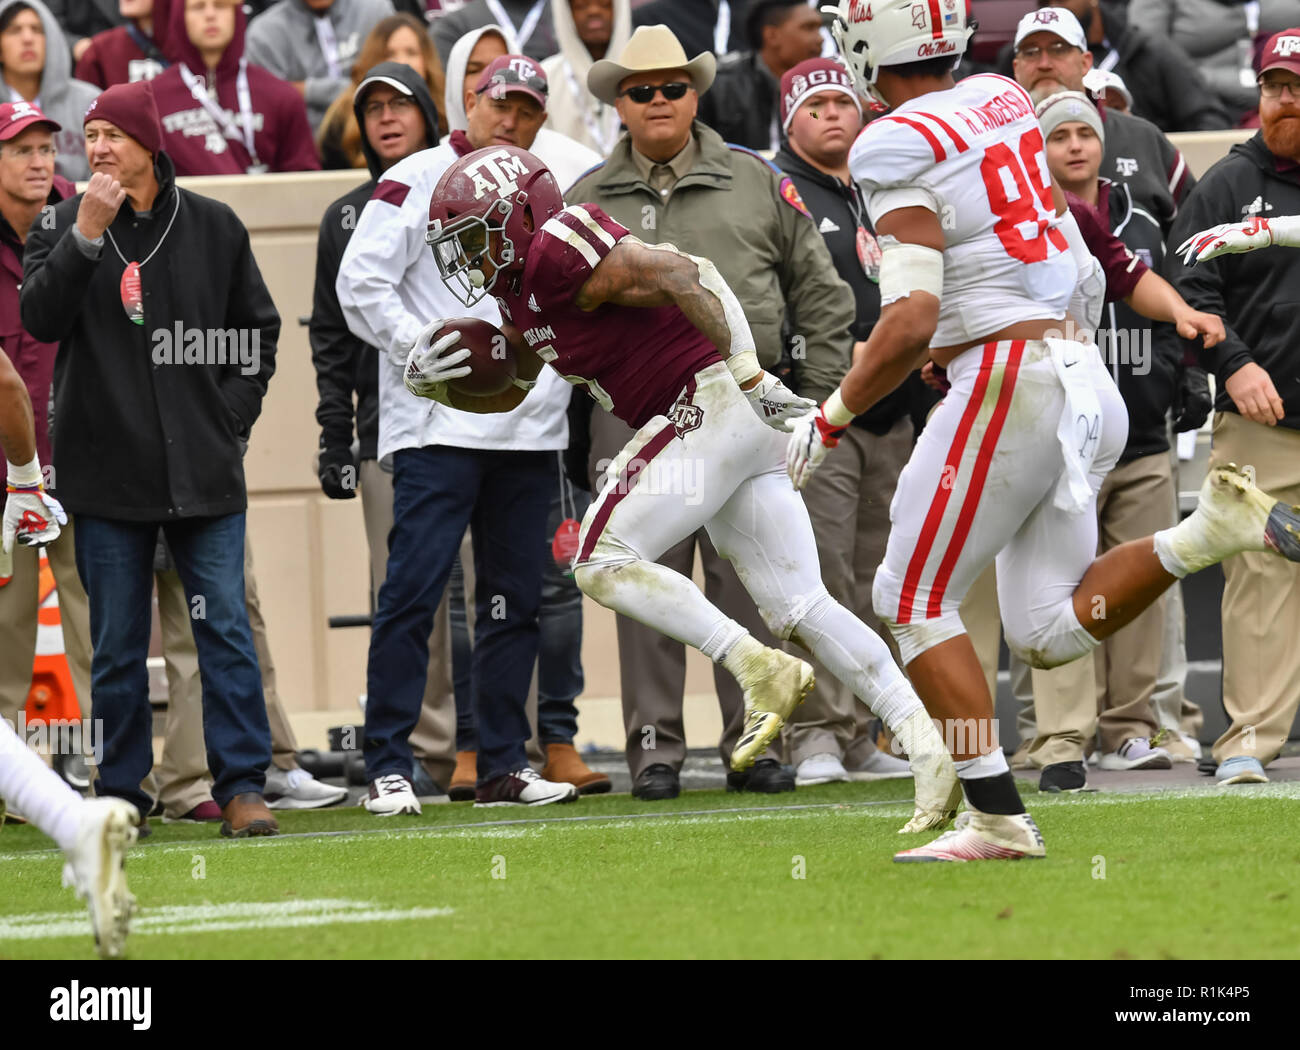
652 666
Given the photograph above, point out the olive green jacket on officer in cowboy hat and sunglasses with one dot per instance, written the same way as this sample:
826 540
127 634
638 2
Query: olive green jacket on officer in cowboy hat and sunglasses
730 209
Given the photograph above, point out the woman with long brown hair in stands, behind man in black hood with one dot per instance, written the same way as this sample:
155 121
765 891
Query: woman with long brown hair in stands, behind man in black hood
400 38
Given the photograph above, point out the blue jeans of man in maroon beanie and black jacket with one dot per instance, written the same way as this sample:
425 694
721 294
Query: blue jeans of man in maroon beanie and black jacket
115 561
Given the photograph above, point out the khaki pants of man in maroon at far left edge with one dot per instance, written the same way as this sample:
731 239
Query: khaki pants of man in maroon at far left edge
19 623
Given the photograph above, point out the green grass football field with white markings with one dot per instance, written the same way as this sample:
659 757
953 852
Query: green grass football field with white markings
1175 875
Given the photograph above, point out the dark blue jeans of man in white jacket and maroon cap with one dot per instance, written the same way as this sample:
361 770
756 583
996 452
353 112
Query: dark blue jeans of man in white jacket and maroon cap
439 492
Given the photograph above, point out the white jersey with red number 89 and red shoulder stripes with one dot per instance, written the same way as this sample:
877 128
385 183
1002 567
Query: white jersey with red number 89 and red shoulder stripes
974 155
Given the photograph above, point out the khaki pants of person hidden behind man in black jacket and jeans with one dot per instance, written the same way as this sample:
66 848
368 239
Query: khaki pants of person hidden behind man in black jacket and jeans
181 779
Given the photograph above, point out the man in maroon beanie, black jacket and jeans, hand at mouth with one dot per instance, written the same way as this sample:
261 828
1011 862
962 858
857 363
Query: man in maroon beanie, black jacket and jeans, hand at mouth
111 259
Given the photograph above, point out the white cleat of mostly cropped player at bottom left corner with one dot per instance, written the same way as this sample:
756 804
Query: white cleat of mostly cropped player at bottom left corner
96 870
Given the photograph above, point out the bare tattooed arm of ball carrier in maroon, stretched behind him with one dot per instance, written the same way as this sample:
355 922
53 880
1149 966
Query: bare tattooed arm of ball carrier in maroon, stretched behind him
635 275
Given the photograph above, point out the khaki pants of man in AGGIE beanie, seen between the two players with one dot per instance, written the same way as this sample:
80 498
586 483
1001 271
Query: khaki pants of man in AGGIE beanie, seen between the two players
848 502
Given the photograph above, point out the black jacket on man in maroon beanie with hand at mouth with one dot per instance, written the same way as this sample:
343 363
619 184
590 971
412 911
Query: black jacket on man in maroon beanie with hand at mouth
150 418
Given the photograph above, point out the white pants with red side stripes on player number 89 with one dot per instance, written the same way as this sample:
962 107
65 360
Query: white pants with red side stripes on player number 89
982 484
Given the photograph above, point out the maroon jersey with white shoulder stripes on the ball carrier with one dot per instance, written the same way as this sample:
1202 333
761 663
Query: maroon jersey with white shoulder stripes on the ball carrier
634 361
